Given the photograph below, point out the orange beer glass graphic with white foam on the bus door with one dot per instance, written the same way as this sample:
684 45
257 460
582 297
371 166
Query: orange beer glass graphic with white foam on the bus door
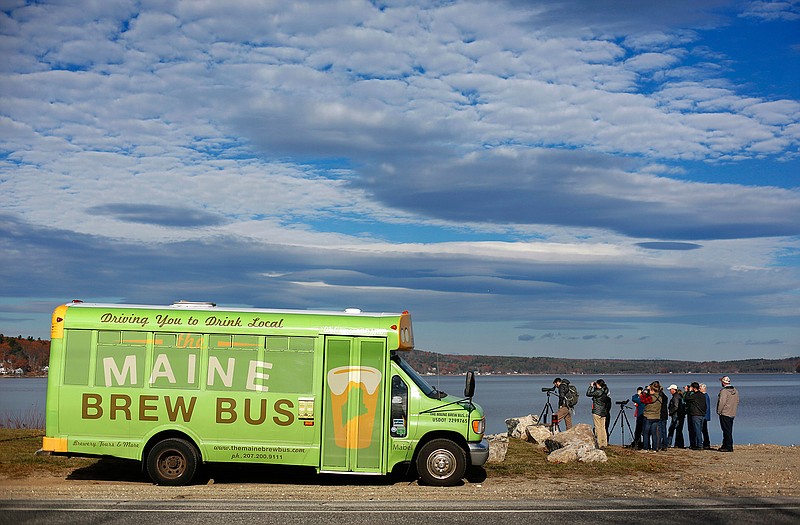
342 382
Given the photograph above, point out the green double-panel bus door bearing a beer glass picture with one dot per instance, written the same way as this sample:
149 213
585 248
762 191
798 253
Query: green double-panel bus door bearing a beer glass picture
353 417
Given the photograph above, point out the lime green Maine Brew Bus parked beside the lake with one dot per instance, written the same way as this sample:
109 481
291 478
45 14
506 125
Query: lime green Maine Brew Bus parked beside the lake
178 386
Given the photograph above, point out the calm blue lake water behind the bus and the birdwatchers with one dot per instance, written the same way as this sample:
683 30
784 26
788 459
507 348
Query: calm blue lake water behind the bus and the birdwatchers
769 410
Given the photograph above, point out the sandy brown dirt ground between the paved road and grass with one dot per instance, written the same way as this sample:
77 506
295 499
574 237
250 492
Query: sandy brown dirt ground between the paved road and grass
752 470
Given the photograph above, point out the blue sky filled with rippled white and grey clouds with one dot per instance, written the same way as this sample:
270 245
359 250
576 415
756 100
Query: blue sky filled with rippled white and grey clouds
582 179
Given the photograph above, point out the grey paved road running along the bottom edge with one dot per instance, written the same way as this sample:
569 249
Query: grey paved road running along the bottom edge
774 511
